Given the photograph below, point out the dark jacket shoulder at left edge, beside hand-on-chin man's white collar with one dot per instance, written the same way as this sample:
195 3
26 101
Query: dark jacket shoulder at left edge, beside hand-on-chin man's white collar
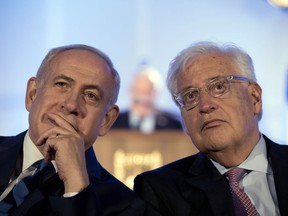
9 151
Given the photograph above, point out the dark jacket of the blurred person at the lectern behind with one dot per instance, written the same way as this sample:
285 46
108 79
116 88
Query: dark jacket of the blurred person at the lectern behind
164 121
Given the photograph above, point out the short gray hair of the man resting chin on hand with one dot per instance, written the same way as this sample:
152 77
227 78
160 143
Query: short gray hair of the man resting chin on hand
53 53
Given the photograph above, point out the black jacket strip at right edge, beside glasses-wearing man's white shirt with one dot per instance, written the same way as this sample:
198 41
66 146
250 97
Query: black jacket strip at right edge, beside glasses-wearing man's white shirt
278 157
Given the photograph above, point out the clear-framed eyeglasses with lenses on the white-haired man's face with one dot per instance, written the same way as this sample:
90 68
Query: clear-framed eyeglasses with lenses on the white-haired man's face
216 87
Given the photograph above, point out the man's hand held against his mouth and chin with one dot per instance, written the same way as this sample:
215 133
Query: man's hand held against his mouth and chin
64 144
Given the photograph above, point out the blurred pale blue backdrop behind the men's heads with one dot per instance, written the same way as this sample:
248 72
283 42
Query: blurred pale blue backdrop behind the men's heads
135 31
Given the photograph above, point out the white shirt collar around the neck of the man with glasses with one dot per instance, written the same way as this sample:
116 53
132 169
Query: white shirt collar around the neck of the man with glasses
256 161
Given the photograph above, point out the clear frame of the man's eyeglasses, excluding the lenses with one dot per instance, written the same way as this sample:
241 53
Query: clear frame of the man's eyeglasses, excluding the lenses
229 78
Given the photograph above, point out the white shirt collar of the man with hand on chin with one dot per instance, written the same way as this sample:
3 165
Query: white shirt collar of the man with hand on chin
31 154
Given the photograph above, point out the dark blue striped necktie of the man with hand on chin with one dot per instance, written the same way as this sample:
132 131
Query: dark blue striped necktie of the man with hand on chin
28 181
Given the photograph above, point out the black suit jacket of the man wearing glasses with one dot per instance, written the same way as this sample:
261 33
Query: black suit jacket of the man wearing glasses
193 186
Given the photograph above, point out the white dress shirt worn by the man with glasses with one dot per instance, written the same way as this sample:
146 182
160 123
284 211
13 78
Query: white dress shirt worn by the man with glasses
259 183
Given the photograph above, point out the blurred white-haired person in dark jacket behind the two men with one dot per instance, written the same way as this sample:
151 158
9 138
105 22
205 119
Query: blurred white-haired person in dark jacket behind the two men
143 114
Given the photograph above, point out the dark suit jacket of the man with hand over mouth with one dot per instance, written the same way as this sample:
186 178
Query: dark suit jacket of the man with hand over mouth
104 196
